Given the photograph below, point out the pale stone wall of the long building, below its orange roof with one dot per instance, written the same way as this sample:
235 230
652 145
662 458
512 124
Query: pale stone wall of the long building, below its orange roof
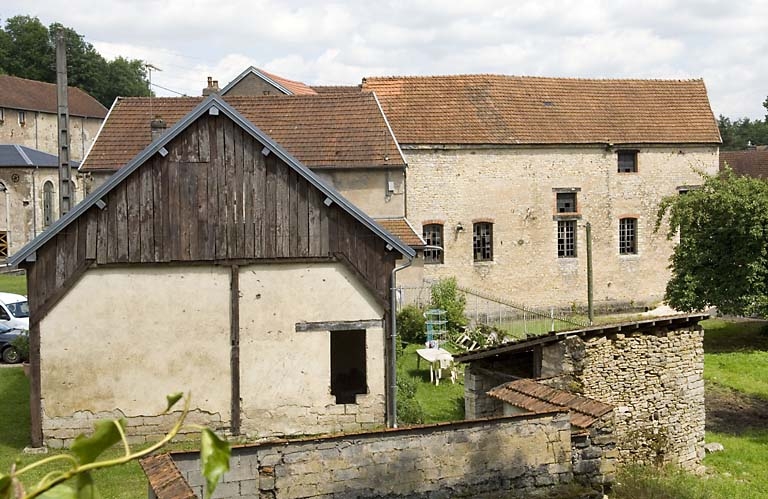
514 188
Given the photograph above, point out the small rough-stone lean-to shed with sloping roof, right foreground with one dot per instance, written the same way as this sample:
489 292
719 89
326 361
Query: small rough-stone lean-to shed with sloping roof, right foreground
650 371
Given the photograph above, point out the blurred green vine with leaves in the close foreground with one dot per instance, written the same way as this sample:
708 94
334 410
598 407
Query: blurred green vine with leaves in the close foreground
74 479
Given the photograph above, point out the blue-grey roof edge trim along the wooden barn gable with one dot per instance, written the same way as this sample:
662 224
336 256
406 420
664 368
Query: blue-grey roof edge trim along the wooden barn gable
214 104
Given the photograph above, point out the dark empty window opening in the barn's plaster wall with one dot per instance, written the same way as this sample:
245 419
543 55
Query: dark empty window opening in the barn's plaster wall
348 368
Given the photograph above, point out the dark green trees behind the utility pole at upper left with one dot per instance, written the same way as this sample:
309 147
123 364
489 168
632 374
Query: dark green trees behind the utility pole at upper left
28 50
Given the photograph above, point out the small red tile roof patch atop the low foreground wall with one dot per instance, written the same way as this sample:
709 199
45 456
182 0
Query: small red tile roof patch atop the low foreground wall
536 397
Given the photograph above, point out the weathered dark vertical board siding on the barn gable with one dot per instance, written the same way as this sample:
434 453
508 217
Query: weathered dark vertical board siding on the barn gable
214 198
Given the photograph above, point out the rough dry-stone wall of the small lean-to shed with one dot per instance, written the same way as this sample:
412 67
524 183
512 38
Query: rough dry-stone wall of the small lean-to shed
655 380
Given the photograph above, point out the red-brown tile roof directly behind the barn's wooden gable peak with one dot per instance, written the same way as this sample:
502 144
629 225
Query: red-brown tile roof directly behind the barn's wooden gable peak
332 131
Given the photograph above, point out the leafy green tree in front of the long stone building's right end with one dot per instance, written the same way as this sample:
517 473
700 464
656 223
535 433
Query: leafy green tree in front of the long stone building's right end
722 255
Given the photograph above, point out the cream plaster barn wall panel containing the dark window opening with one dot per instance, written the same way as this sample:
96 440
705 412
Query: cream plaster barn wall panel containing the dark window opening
286 375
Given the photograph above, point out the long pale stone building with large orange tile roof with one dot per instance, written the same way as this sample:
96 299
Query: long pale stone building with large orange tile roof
505 172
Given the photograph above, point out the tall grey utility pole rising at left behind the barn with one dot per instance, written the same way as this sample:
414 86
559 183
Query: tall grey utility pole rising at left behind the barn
65 171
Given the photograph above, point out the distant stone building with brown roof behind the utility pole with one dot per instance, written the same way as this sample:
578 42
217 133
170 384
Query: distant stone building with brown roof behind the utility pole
29 116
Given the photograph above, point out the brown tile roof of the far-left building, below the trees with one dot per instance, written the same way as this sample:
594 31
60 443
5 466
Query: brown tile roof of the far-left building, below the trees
31 95
